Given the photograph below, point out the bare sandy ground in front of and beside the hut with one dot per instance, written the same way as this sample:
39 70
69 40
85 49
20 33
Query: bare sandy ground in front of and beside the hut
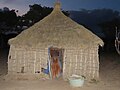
109 77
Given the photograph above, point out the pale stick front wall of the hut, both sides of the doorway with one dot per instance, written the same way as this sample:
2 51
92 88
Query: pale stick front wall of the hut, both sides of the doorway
76 61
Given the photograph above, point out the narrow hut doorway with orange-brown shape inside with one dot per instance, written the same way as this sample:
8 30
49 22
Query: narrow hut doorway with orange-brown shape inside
55 62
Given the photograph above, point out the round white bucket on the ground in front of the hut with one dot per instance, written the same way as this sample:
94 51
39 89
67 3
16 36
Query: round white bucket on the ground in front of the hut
76 81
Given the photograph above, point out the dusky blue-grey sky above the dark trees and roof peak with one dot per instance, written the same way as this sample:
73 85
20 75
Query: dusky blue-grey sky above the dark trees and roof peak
23 5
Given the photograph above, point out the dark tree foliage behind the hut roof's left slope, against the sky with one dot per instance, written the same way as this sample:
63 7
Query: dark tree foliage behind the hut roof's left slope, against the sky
9 19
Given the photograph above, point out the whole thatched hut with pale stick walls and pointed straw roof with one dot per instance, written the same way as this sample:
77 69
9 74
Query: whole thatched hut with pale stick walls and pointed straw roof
77 47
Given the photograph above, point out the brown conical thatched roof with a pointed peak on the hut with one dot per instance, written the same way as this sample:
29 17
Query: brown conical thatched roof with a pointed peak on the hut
56 30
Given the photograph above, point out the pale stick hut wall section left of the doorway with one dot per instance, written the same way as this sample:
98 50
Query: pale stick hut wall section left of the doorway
28 61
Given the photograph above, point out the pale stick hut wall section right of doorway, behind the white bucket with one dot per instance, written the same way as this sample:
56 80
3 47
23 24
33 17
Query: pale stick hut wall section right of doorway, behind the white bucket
81 62
